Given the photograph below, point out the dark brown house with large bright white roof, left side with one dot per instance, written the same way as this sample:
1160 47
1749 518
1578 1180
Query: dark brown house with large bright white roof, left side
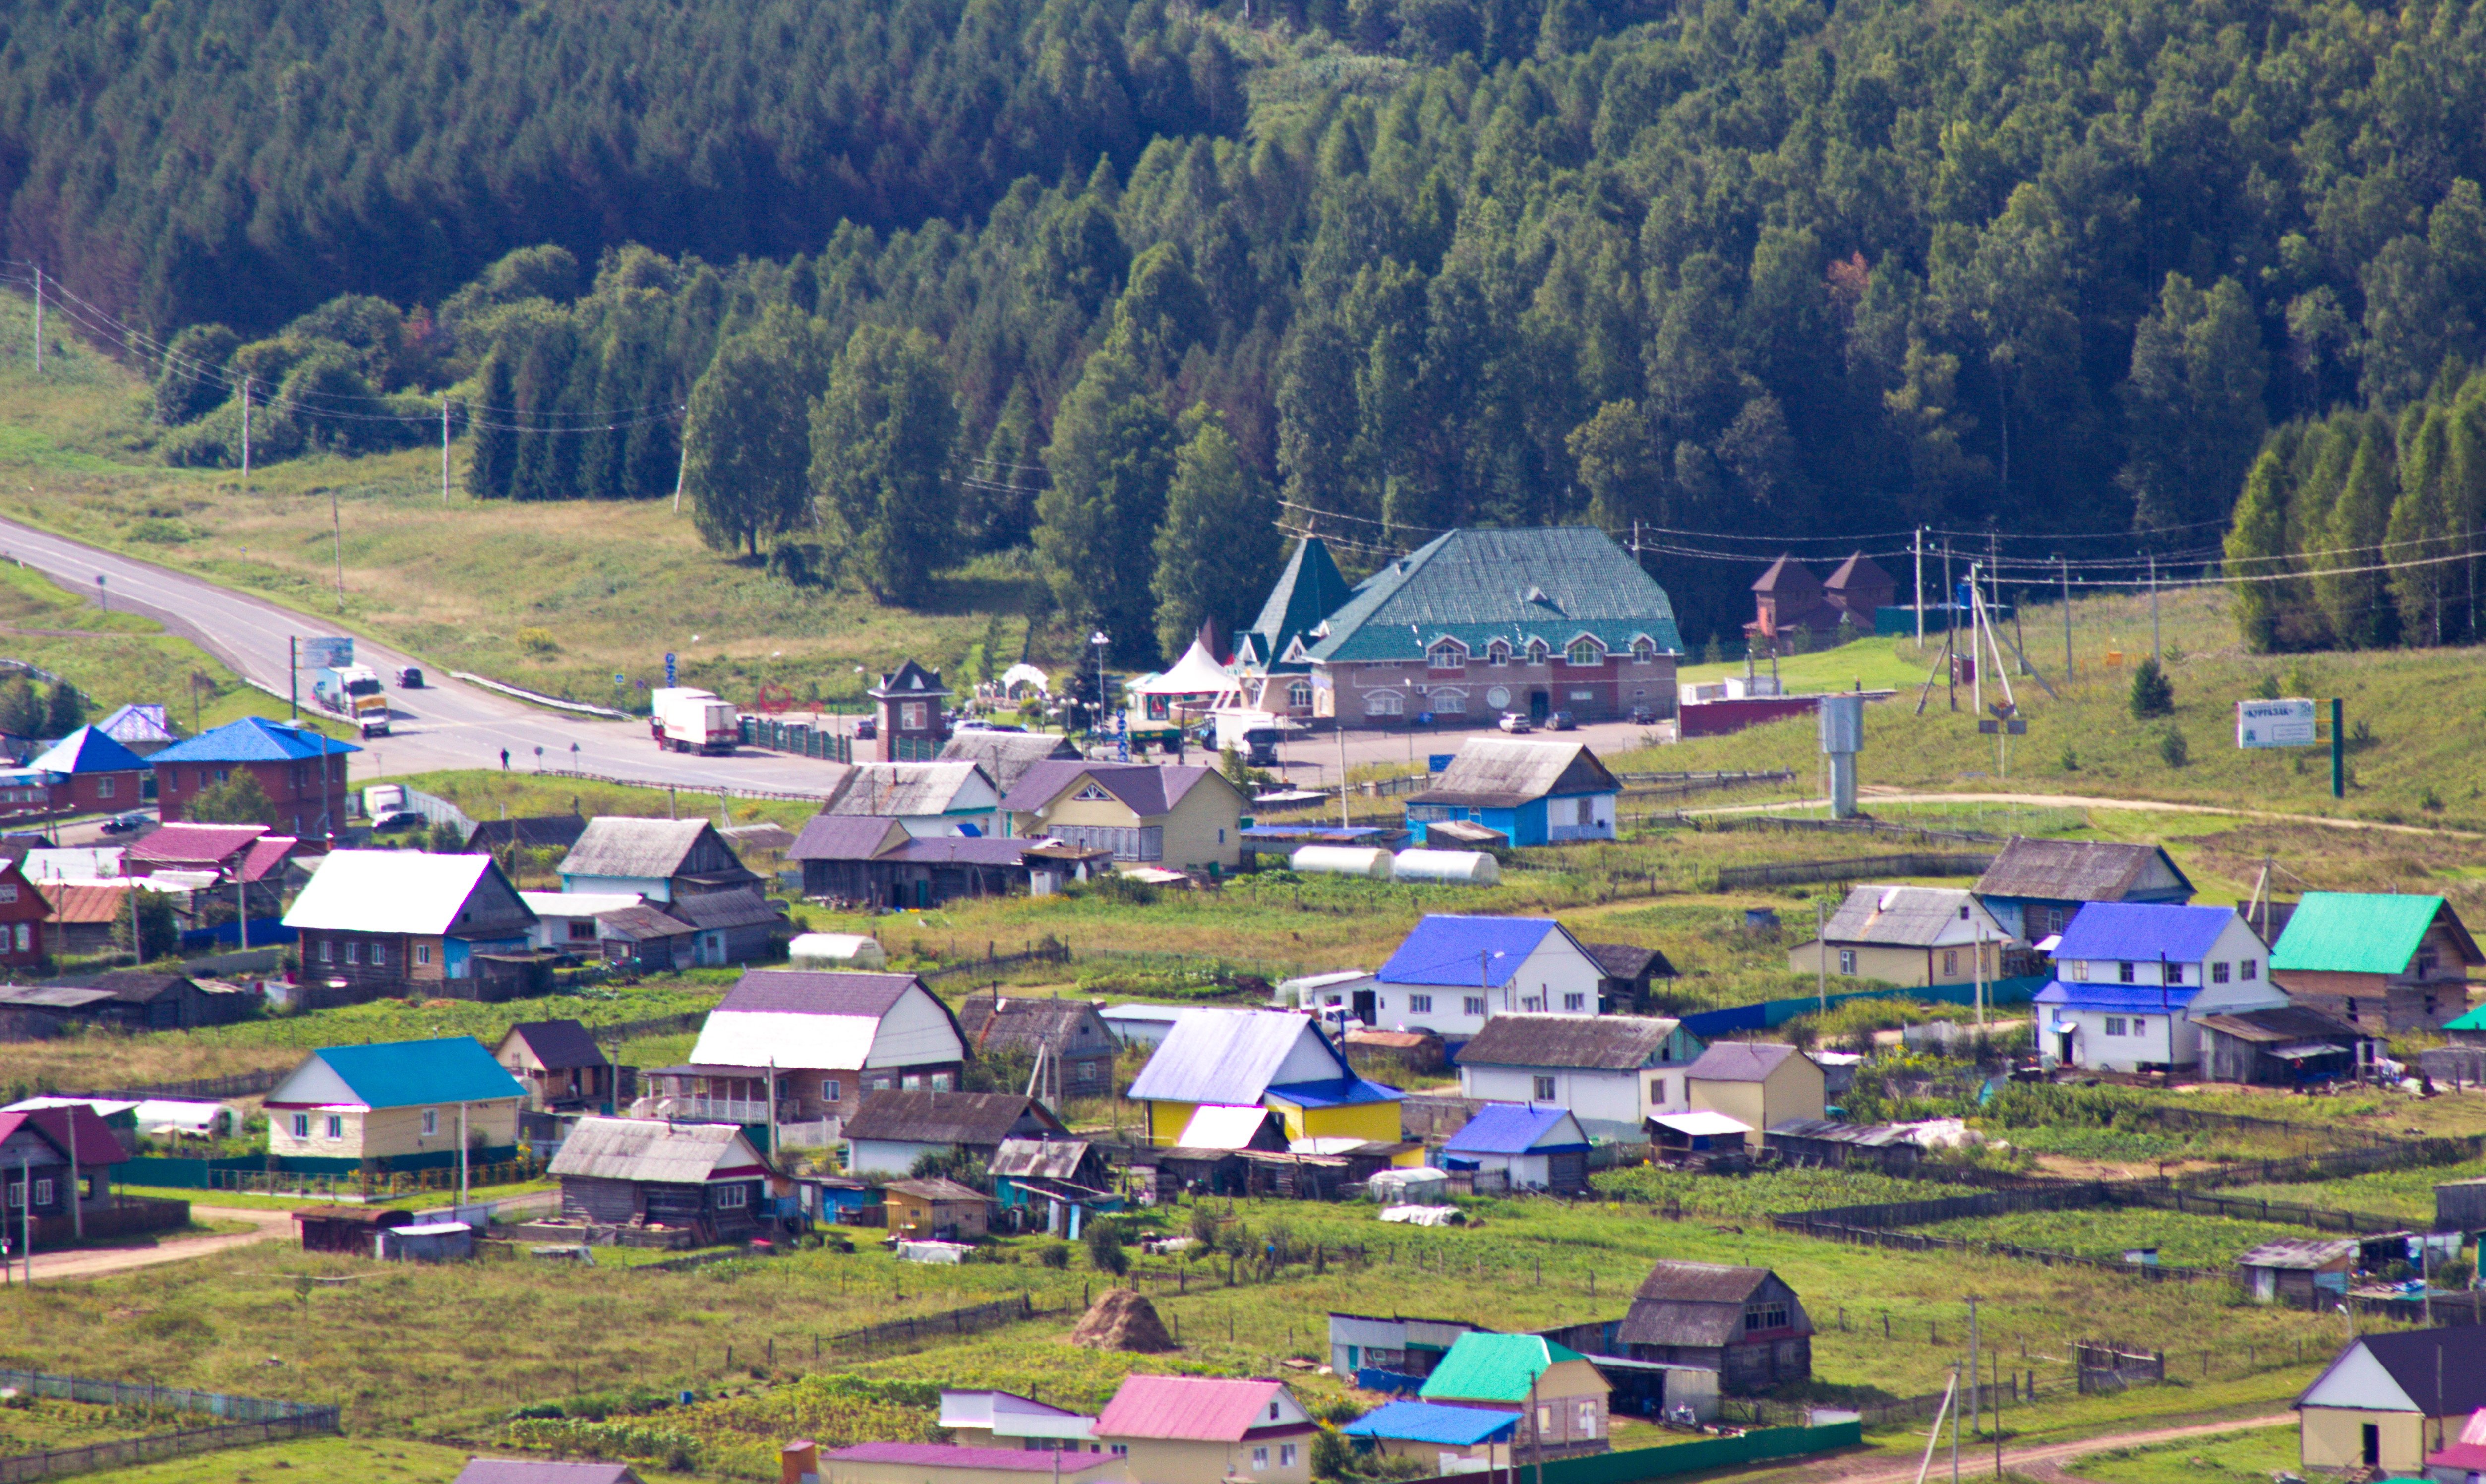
382 923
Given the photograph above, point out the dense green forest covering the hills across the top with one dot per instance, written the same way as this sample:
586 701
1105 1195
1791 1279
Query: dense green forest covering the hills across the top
1120 285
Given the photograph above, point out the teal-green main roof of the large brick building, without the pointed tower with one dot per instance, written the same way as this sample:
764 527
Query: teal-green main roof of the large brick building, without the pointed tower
1518 585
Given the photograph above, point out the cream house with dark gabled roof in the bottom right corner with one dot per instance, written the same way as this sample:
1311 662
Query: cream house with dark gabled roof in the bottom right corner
2390 1401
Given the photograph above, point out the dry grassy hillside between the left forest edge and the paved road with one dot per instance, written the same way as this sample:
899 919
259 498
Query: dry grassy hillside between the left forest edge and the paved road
543 595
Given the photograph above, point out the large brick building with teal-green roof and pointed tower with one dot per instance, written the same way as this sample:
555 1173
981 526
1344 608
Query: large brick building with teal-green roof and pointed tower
1468 628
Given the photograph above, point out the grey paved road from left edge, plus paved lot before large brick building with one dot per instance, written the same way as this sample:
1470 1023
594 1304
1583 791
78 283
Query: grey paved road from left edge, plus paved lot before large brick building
451 725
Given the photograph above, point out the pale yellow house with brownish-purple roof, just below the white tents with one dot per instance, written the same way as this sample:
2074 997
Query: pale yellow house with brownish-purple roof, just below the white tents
1147 814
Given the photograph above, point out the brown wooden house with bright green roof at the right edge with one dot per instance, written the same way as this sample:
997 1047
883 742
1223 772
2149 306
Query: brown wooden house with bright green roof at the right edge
2378 961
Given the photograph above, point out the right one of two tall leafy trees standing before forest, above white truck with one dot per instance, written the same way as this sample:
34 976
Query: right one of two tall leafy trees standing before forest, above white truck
881 459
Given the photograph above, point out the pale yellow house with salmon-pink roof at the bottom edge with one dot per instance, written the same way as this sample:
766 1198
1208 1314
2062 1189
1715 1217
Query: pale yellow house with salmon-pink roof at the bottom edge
1207 1431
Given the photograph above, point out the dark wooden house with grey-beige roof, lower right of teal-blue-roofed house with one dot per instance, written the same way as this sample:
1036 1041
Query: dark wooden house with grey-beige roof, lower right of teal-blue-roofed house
707 1179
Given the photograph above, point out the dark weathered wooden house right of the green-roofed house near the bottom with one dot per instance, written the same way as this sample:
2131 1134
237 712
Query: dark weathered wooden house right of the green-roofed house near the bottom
1741 1324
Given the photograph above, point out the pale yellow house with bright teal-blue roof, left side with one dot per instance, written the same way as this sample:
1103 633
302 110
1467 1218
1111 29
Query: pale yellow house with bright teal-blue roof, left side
397 1102
